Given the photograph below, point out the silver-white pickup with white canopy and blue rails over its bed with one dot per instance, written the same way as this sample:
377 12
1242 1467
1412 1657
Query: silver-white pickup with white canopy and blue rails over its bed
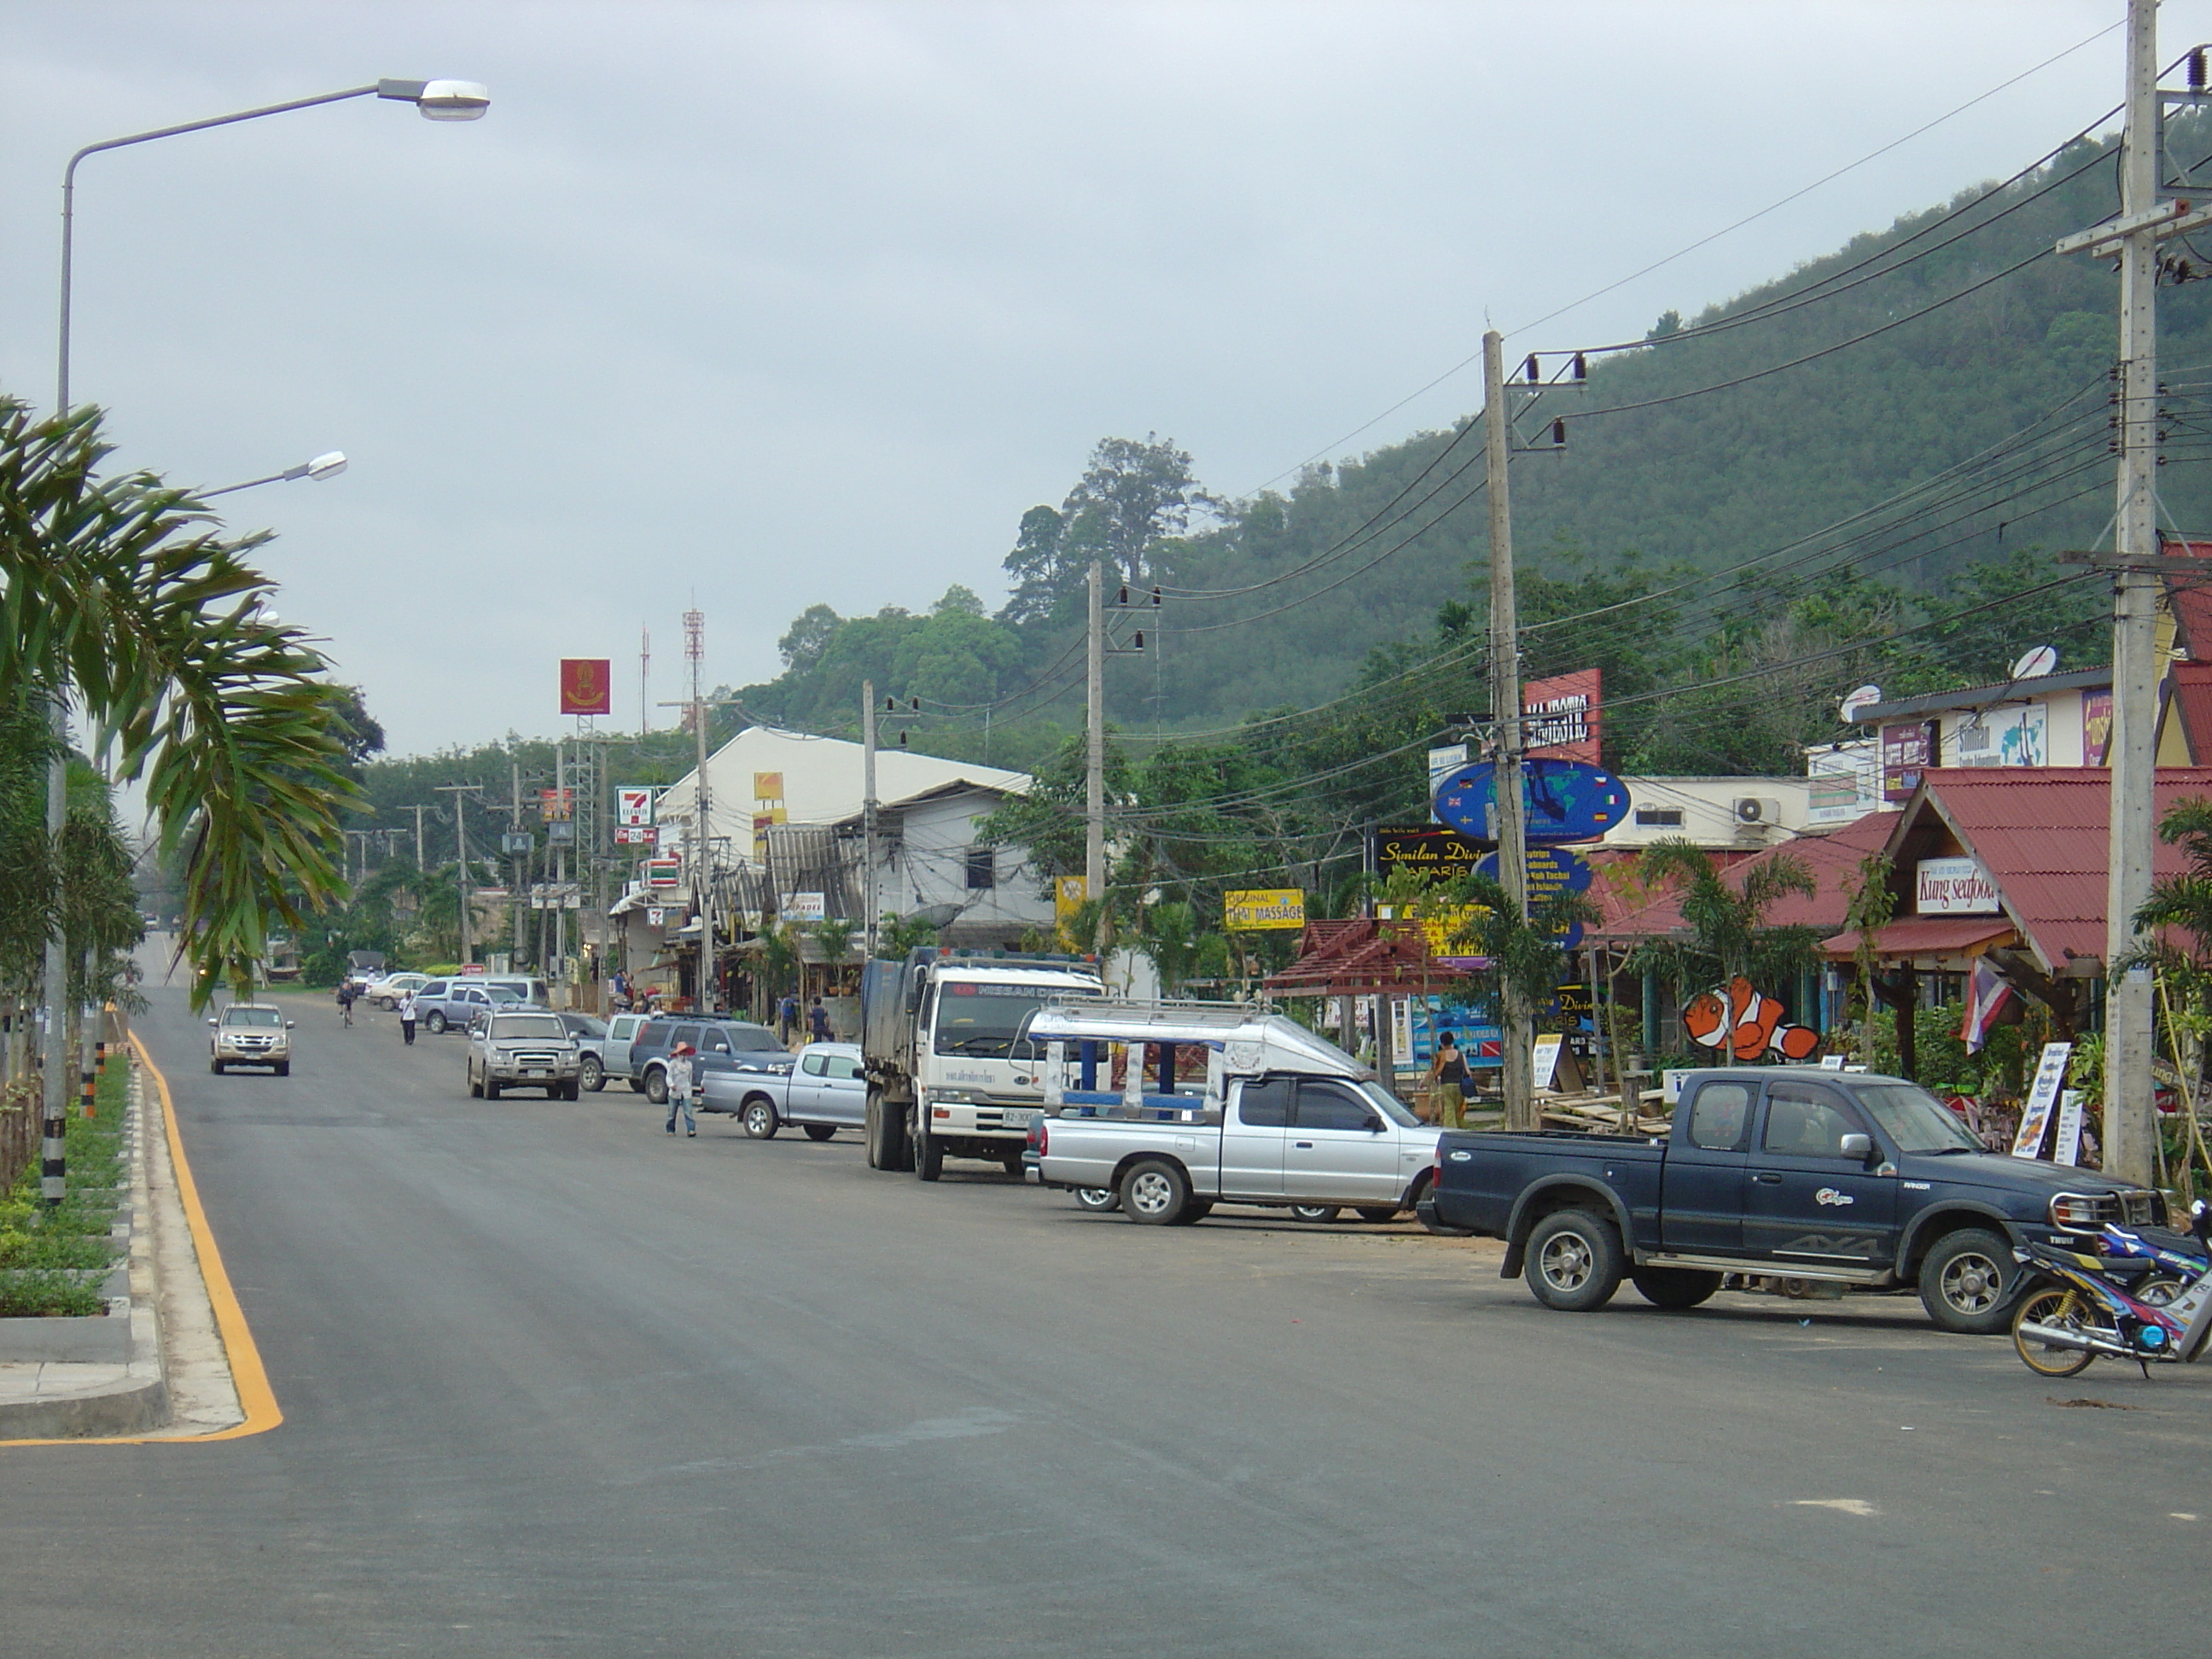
1269 1116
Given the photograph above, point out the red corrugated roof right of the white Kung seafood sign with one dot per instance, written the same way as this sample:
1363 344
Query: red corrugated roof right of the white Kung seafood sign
2043 837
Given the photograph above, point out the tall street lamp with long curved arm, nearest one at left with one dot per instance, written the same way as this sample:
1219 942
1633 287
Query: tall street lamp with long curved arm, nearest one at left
441 101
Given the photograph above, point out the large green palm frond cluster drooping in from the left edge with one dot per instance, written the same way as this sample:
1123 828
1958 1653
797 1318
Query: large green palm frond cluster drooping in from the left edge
125 592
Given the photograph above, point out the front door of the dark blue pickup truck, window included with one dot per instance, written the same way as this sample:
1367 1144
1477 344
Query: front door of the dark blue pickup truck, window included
1806 1200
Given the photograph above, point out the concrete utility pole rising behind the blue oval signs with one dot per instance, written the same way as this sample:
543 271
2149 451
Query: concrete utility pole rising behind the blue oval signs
1516 1016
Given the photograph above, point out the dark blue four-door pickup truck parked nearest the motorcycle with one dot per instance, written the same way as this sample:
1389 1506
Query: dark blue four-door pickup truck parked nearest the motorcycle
1844 1182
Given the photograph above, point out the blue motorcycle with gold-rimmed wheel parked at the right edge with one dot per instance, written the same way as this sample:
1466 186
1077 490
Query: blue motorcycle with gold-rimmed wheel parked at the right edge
2142 1302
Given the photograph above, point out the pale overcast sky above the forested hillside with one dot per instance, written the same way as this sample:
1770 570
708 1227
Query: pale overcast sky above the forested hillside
791 304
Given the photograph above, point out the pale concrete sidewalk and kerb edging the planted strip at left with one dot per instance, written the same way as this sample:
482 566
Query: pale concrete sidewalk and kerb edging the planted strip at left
174 1379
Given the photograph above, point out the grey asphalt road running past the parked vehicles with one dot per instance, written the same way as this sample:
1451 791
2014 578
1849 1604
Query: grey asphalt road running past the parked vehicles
559 1384
